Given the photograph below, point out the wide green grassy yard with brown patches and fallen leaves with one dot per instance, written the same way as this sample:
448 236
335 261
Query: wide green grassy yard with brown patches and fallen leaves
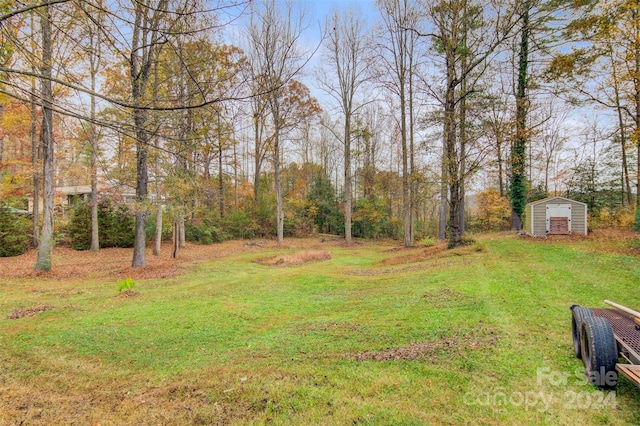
373 334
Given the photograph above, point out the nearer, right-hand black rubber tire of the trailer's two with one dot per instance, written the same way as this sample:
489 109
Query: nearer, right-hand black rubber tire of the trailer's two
599 352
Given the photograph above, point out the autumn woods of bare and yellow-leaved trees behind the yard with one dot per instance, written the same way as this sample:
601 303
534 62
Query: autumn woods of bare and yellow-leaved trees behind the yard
408 120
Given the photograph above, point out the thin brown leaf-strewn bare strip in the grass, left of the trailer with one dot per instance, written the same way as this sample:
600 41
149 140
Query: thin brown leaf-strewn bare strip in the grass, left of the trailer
427 350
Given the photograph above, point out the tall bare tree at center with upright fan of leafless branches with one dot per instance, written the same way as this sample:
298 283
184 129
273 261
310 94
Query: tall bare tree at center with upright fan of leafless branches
345 53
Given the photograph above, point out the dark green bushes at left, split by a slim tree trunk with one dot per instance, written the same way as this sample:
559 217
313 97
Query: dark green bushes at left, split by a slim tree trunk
116 226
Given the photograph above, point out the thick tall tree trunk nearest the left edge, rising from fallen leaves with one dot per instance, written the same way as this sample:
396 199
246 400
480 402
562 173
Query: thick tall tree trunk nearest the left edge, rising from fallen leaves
45 248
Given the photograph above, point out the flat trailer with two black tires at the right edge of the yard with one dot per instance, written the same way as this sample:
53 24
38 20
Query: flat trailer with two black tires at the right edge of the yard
602 337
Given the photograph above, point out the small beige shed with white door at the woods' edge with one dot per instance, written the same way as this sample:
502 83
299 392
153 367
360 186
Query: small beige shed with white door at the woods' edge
555 215
